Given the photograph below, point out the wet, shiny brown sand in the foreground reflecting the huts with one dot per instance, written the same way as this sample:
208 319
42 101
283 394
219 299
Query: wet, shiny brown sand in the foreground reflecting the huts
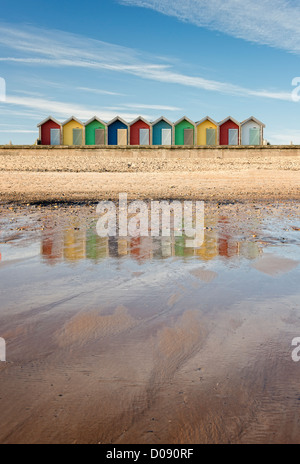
143 341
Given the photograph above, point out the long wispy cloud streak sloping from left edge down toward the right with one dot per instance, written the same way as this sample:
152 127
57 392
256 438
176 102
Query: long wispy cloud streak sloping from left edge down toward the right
70 50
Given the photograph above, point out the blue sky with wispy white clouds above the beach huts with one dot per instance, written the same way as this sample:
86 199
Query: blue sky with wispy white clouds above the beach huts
150 58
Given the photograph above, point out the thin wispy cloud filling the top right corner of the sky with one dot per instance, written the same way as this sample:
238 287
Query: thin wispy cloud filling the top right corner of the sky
269 22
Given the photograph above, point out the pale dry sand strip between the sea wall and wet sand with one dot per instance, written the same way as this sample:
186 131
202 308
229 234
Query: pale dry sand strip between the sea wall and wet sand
42 178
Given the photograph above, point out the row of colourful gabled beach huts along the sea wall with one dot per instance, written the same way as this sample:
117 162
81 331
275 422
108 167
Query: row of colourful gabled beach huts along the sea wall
141 132
